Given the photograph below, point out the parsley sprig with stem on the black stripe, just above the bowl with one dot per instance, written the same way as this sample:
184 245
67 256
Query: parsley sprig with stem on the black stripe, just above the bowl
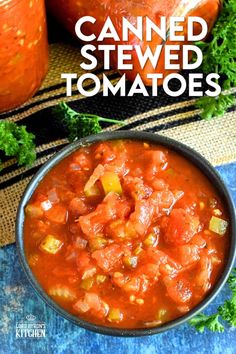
78 125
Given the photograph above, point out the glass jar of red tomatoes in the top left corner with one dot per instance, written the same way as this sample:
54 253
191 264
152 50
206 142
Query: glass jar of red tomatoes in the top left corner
23 50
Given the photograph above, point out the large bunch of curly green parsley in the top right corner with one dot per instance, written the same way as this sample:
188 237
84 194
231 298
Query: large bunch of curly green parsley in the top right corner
219 56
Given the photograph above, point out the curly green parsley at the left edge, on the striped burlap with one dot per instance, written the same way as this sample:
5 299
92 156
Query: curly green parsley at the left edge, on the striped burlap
15 141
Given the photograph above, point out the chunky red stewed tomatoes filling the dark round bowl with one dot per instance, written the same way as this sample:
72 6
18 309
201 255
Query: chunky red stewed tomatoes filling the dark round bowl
126 234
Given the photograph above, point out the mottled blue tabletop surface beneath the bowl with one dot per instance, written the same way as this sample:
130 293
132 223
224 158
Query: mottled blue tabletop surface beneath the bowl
18 299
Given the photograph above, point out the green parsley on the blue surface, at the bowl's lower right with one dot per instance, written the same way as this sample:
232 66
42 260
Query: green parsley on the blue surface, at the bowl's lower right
227 312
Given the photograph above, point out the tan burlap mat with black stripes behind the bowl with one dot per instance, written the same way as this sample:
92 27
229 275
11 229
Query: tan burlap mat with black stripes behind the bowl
176 118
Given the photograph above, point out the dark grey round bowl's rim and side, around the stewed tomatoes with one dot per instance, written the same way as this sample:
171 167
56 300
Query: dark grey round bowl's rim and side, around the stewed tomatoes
185 151
